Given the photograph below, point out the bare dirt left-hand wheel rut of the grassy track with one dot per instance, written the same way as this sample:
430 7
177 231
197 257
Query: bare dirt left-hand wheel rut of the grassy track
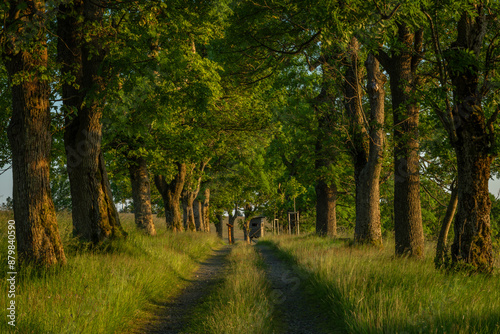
176 313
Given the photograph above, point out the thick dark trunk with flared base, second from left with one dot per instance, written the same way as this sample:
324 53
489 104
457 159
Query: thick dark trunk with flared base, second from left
95 217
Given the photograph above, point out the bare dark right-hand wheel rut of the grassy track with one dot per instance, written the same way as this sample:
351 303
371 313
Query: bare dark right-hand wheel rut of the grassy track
298 316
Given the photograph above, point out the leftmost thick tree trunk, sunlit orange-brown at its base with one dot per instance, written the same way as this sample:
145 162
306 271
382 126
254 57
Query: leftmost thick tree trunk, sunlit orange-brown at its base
37 233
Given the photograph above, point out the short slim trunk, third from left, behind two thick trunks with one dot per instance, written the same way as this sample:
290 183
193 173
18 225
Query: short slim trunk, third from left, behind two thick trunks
141 194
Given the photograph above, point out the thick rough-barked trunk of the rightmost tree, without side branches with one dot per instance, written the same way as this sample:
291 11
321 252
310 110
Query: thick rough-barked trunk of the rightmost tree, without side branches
473 139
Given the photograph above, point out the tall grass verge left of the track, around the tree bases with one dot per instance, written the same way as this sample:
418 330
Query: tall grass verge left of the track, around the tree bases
100 292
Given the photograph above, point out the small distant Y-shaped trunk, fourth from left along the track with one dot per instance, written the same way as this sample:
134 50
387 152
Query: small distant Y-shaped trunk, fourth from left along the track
171 195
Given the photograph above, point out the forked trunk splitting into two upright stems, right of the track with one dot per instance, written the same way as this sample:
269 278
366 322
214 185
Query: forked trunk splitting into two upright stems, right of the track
367 141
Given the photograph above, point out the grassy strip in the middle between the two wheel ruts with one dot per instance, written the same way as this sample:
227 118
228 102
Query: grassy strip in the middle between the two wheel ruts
241 303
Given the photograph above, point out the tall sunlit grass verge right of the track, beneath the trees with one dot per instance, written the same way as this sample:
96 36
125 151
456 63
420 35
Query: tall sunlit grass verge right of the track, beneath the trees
364 290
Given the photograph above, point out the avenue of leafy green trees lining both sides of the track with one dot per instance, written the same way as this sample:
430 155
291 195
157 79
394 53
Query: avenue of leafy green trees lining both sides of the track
269 101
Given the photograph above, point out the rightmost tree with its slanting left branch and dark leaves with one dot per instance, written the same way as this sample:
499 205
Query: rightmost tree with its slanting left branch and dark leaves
469 64
